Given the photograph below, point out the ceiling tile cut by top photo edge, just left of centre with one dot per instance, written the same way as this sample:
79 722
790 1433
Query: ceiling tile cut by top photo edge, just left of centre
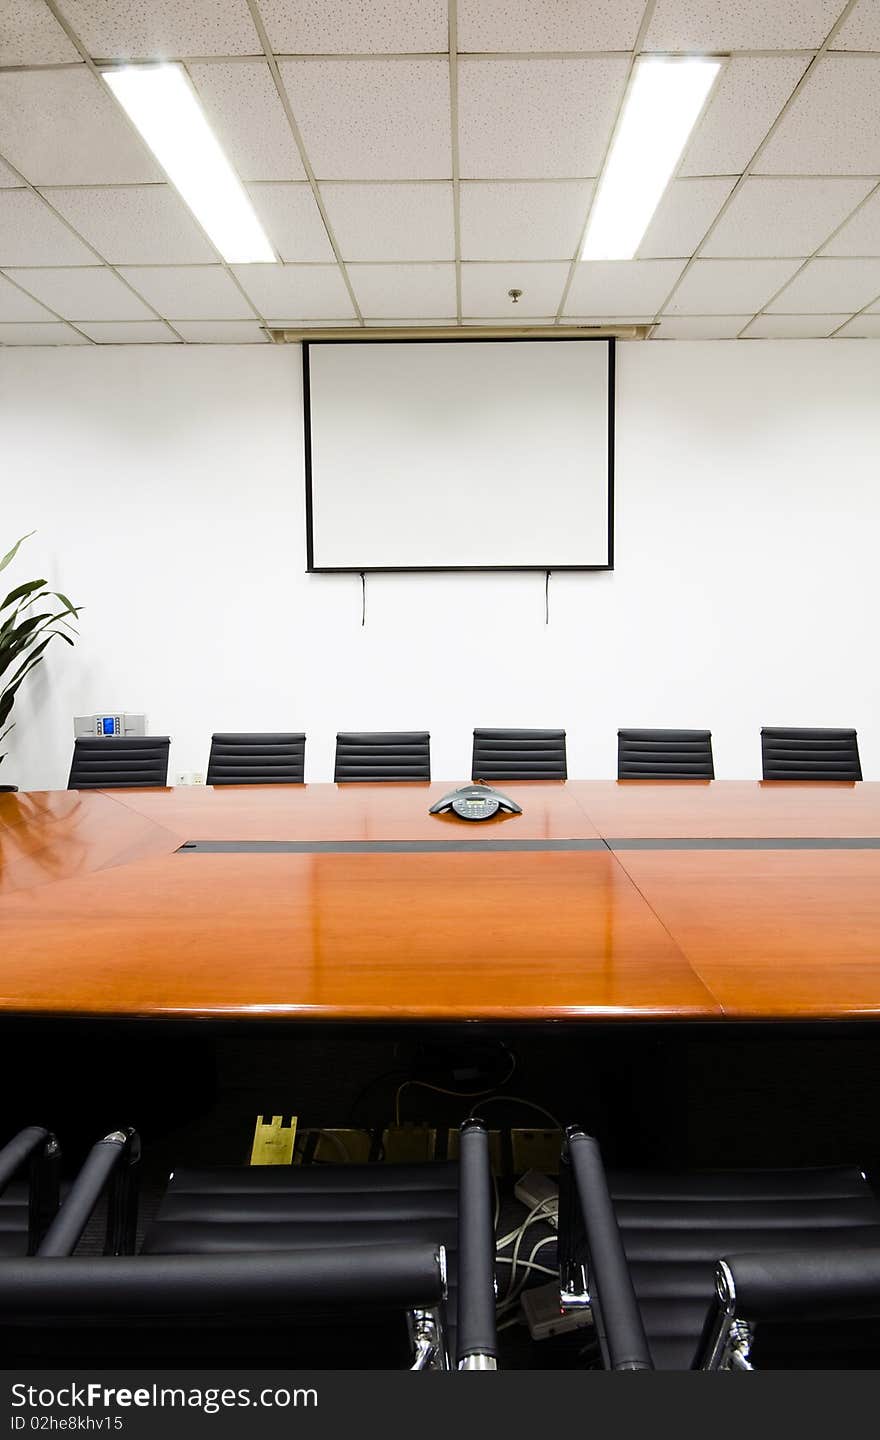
341 28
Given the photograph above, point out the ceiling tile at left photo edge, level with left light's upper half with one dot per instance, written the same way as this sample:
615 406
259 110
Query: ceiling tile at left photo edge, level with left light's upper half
63 127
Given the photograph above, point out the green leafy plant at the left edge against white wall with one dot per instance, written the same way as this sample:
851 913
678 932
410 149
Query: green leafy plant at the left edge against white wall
25 633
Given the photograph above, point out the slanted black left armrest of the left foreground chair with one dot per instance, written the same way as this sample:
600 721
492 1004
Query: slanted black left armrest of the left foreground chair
110 1164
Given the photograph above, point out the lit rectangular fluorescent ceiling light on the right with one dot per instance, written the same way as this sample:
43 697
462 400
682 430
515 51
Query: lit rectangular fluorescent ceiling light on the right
660 112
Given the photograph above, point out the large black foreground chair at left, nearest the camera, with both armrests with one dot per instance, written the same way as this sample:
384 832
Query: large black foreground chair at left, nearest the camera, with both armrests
270 1251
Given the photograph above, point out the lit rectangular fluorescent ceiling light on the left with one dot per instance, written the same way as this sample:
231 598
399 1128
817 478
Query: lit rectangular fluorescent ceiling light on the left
163 106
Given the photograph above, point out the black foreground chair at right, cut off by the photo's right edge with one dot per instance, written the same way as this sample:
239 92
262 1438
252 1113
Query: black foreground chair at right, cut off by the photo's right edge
646 1252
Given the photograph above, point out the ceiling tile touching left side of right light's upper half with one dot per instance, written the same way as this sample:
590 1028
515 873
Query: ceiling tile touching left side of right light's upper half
536 119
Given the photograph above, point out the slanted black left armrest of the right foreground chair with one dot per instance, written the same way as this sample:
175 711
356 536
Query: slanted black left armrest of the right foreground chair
611 1292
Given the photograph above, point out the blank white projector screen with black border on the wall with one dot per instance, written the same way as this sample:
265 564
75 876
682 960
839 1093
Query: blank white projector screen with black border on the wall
433 456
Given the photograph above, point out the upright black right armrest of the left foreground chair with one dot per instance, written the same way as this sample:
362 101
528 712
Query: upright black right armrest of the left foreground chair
477 1336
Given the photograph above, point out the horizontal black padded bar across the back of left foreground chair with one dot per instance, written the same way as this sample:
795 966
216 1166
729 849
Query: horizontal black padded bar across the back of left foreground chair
260 1284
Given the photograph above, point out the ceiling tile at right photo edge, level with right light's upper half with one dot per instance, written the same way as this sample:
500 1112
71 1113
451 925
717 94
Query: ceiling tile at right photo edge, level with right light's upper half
833 125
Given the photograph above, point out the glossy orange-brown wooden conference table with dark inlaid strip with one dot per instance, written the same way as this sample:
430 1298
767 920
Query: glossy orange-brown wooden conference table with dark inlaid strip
637 901
